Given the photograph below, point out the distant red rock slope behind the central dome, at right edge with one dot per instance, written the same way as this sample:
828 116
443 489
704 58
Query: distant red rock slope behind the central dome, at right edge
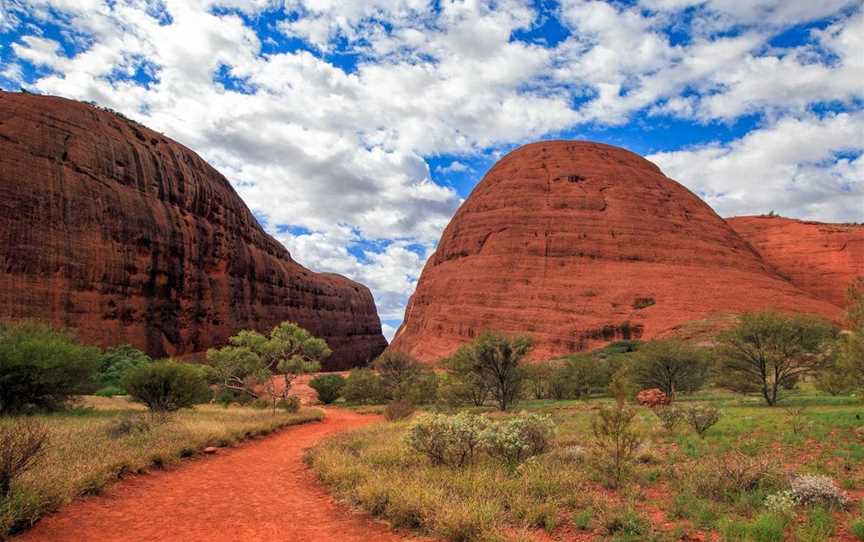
822 259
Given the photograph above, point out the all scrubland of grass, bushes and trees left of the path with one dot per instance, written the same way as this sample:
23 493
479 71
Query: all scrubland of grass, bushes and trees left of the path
75 418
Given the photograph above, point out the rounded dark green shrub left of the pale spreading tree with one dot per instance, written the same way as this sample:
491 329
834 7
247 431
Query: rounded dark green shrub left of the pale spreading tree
166 386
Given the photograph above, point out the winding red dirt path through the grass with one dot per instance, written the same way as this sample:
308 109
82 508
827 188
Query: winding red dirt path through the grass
259 491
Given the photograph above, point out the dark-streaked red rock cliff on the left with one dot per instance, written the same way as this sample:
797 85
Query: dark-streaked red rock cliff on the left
117 231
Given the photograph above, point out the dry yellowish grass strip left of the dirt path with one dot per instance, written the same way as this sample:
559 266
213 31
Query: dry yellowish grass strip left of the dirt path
82 458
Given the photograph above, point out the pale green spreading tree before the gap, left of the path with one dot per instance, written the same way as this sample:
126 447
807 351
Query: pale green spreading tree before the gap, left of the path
250 362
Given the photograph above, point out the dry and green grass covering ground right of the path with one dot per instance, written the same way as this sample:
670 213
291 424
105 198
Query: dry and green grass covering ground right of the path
808 432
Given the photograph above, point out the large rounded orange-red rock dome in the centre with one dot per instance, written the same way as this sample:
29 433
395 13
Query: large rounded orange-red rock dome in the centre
578 244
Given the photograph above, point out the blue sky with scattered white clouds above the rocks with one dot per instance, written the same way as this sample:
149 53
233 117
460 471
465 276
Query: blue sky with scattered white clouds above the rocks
354 128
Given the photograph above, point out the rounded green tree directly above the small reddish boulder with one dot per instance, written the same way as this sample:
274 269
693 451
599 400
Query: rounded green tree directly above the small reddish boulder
670 365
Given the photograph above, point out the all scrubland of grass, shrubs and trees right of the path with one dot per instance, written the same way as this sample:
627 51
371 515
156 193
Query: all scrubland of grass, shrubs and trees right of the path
759 440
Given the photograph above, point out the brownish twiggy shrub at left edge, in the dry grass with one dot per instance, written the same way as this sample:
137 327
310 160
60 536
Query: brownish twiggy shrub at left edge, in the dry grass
22 444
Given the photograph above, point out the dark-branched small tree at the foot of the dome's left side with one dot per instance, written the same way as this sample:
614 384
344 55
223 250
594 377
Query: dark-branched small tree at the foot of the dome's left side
493 361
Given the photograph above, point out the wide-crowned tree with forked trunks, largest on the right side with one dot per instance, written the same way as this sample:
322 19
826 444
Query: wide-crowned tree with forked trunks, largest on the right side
766 351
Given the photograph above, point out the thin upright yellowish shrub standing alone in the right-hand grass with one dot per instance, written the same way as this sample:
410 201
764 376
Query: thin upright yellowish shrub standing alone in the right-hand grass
616 440
